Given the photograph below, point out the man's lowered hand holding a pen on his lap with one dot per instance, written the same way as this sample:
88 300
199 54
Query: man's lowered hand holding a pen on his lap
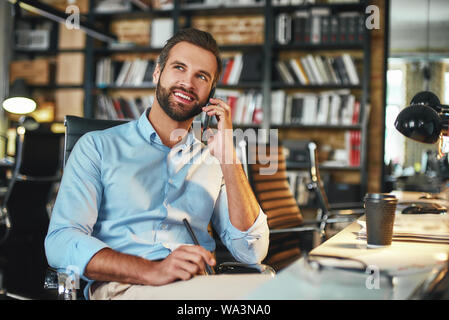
182 264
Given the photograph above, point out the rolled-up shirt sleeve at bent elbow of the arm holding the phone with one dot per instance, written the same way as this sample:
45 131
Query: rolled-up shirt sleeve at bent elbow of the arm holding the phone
250 246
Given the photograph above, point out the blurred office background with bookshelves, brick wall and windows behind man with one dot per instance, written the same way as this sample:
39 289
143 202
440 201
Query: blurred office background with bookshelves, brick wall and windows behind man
332 72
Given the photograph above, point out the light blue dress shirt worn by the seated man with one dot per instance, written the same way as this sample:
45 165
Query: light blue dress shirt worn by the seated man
124 189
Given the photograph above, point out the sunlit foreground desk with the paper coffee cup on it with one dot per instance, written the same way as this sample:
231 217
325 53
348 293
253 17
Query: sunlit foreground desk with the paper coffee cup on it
393 272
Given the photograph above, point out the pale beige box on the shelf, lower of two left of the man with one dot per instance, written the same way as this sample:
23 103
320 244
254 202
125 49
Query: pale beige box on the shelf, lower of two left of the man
69 102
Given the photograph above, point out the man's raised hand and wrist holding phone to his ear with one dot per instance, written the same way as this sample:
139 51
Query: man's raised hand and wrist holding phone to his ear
221 143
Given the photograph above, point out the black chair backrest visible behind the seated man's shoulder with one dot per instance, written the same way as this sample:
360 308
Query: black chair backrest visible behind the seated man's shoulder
78 126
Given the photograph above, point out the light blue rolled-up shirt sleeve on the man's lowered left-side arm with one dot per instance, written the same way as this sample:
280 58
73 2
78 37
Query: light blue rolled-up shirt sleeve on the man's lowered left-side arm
69 244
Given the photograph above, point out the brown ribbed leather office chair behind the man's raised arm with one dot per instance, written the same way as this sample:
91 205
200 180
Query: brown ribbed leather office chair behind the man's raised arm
290 236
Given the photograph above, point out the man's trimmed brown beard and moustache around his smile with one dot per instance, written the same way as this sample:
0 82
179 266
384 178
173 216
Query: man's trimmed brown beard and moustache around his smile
174 109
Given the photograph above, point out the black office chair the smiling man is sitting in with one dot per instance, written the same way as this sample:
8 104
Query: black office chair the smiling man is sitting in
65 283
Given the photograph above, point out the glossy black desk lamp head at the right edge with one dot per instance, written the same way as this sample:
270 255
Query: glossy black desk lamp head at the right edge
426 120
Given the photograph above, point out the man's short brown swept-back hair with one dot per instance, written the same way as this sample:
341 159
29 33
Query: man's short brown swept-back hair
197 37
